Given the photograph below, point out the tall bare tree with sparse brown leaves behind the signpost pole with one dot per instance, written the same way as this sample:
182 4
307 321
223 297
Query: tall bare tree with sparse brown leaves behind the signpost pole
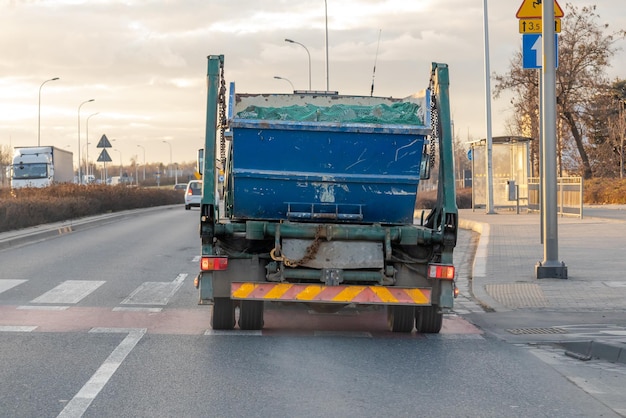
584 55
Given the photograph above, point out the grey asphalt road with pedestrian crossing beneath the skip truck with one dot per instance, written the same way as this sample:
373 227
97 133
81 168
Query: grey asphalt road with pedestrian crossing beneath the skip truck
105 323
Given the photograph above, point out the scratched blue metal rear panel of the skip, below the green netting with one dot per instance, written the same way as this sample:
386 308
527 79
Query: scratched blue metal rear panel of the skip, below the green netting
283 172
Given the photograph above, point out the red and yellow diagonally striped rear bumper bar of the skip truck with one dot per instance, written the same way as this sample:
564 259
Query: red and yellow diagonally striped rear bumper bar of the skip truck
288 292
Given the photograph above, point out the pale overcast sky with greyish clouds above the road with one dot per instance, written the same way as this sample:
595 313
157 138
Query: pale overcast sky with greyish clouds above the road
144 62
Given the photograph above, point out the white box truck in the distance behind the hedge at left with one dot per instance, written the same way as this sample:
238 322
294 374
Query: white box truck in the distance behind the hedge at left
41 167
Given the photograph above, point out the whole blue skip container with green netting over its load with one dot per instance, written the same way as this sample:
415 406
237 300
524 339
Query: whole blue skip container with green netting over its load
306 157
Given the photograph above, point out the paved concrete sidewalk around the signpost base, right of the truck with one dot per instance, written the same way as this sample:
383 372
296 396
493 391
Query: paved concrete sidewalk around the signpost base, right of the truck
593 249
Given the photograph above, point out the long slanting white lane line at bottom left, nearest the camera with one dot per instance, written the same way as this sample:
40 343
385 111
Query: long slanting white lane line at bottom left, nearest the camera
77 406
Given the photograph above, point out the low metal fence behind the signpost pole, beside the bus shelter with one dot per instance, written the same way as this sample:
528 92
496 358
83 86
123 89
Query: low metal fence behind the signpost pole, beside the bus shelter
569 195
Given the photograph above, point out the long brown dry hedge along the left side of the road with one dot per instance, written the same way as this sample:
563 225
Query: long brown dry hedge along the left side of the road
21 208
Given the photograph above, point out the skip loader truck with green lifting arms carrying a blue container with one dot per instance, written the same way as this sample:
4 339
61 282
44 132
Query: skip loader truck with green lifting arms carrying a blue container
319 204
